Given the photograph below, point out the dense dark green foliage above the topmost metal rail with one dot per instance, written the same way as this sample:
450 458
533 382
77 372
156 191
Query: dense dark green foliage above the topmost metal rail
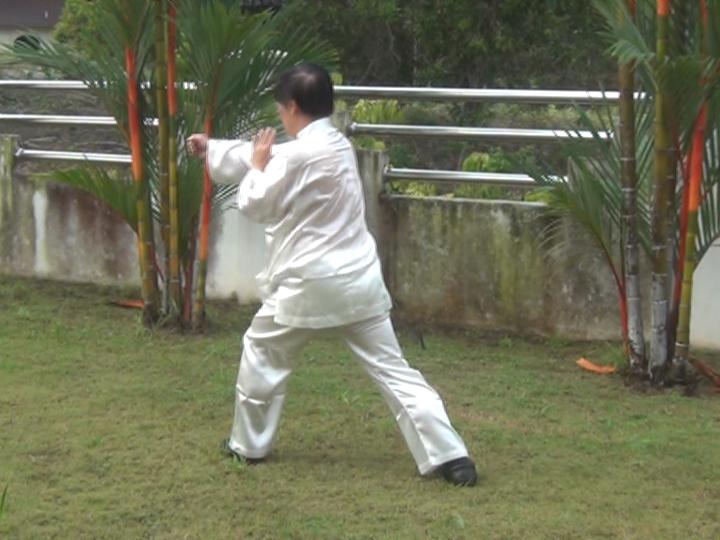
473 43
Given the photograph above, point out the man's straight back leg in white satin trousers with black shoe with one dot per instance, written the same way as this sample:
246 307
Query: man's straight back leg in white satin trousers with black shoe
417 407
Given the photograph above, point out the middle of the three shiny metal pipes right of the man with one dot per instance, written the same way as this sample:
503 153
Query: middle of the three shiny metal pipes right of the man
508 134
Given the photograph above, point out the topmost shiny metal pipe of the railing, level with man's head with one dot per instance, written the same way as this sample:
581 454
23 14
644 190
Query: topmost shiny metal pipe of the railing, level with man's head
488 95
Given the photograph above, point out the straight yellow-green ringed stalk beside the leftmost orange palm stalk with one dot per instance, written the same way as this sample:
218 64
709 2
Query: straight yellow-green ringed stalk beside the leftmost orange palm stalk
162 115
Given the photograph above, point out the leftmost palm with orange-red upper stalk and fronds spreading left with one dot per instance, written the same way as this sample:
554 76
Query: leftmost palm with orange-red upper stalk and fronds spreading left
112 77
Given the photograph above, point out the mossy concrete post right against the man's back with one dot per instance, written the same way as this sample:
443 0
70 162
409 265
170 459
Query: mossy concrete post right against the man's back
371 164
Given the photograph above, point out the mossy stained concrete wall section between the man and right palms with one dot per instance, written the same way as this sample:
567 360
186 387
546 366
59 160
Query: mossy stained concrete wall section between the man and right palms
481 264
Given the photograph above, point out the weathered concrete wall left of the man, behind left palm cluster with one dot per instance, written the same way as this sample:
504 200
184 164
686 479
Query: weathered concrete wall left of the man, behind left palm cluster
51 230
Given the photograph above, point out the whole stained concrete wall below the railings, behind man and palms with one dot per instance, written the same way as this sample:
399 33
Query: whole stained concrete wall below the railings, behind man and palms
472 263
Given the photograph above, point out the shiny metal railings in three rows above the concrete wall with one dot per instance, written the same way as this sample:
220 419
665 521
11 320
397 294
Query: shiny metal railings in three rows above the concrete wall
567 97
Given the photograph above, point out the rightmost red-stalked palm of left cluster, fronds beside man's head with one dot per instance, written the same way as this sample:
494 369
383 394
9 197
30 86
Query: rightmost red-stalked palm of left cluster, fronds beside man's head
236 57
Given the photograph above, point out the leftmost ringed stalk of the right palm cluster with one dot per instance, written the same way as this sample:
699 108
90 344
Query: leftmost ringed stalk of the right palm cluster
633 308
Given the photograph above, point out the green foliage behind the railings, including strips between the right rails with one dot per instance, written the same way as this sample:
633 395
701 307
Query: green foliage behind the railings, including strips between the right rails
458 43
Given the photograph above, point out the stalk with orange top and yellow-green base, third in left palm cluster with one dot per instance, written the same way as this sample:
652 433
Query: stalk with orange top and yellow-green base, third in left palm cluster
173 245
